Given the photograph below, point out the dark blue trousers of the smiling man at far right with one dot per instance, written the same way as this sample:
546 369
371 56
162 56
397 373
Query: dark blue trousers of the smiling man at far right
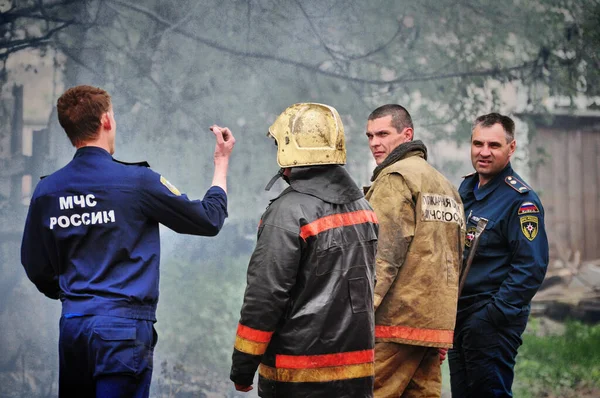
483 358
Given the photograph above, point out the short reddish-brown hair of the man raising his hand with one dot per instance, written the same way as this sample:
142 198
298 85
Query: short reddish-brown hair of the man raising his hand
80 112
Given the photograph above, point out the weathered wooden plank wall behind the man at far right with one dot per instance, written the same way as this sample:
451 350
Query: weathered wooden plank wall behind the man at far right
565 166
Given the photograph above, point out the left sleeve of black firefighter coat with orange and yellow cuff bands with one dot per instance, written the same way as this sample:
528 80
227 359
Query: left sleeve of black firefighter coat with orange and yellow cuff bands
271 276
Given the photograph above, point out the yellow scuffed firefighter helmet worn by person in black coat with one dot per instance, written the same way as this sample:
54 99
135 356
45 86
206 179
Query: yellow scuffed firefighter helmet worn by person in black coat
309 134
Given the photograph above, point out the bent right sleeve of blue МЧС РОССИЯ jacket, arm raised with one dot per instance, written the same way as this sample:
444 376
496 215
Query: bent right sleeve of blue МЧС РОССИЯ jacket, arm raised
161 201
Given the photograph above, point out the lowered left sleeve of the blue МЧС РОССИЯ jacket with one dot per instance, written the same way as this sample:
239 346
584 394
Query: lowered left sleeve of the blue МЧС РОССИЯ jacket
34 254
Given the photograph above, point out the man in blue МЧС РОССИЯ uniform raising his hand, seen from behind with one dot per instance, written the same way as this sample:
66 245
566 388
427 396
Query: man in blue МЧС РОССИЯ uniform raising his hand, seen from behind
91 240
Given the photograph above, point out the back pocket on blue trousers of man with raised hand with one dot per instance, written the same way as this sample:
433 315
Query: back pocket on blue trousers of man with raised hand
115 349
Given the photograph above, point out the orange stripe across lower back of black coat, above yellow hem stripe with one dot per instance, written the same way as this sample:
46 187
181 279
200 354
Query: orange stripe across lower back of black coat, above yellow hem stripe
320 361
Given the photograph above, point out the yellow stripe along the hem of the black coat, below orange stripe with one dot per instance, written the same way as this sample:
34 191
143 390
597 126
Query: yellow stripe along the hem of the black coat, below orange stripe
317 374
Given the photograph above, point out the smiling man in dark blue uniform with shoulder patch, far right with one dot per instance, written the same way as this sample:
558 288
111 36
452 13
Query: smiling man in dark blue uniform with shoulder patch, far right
508 267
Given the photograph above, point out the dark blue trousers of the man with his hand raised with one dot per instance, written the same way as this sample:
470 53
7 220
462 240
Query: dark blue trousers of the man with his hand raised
105 356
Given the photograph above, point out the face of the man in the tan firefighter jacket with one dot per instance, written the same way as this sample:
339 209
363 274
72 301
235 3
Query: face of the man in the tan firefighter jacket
384 138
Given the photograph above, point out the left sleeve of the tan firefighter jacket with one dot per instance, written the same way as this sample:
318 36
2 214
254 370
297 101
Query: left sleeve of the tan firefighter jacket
392 201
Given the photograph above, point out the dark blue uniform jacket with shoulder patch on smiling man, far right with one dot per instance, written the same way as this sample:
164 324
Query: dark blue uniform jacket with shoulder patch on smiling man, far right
512 256
